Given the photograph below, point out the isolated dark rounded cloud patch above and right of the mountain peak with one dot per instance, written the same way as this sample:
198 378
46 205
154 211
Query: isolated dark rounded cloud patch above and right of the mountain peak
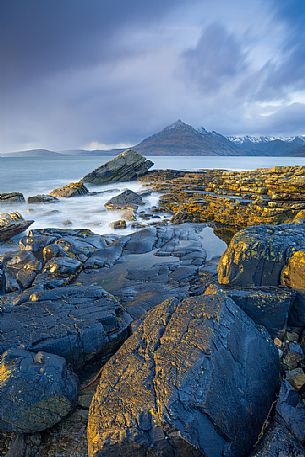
217 57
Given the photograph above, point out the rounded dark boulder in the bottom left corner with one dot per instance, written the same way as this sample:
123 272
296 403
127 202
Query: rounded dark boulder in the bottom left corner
36 390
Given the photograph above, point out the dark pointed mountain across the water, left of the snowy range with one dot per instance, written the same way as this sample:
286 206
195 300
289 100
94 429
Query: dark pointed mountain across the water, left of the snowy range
182 139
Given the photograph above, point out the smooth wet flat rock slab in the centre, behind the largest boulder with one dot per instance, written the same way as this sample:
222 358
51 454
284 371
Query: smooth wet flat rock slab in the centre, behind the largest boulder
149 266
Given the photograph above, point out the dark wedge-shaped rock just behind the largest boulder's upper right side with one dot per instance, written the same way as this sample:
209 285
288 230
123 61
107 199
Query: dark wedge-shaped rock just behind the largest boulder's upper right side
267 306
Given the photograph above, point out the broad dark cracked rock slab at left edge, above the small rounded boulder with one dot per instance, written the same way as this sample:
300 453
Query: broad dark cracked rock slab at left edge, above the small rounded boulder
73 322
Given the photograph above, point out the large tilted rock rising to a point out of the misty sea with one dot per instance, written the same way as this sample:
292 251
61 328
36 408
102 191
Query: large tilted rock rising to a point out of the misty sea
127 166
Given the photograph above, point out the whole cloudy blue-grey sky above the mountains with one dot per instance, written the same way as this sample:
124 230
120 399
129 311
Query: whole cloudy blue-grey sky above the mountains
106 73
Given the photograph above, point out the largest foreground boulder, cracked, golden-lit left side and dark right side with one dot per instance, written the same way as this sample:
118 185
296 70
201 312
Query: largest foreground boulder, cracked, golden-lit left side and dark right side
196 378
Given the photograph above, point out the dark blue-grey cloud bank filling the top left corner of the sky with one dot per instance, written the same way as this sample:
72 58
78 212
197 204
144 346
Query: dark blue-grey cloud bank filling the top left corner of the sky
44 36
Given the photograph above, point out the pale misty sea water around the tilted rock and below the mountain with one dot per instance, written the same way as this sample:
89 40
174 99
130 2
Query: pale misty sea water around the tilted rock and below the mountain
33 176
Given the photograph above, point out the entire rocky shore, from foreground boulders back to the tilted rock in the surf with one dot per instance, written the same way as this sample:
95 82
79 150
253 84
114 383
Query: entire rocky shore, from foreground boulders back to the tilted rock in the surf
151 344
